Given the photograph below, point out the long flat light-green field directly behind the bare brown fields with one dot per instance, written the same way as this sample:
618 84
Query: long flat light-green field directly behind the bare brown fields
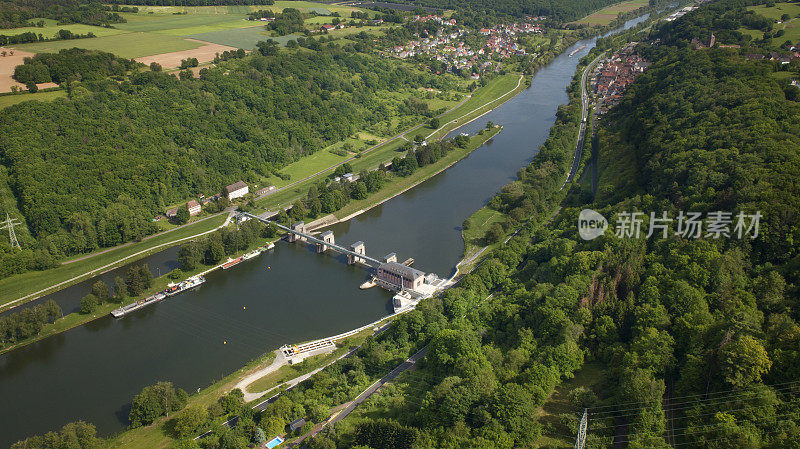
128 45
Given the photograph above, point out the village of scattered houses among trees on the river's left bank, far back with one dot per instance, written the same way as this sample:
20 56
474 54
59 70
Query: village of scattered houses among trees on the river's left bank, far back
449 47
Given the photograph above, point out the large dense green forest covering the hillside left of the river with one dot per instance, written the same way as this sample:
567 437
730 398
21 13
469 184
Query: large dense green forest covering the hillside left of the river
98 166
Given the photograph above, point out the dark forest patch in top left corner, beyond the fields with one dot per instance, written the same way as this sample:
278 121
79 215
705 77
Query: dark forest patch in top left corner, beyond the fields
17 13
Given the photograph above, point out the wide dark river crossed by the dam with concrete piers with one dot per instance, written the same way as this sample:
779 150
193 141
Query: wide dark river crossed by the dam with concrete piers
287 295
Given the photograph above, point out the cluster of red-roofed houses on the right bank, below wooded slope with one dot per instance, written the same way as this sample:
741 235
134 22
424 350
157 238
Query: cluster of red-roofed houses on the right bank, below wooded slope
612 76
